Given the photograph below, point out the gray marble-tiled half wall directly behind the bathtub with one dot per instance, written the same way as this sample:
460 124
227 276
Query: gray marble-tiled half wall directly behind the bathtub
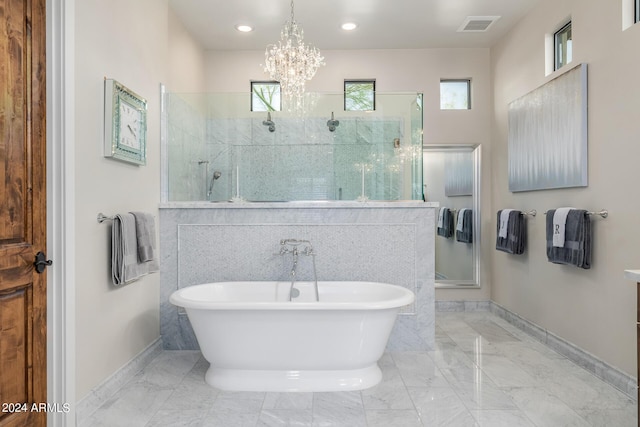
385 242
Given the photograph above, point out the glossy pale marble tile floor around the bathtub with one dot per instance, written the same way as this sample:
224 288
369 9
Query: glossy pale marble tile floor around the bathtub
483 372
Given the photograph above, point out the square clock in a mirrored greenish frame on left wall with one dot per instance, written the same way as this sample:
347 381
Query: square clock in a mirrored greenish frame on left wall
125 124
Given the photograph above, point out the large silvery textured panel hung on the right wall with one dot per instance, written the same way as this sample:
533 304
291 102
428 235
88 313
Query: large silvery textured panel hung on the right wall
548 135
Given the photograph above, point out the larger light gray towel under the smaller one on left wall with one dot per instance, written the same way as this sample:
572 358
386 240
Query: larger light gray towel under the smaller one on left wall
125 267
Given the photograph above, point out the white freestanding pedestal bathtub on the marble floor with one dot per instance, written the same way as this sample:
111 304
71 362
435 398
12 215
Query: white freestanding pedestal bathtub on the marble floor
257 340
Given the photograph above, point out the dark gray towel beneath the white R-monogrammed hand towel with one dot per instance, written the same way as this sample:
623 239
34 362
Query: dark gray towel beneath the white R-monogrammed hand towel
577 240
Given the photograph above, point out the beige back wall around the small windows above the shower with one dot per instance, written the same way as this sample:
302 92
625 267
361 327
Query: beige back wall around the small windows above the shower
395 71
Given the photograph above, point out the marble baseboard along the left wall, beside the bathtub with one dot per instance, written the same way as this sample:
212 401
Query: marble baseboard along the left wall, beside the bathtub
105 390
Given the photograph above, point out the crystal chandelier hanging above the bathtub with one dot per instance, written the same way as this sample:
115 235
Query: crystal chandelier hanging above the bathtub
292 63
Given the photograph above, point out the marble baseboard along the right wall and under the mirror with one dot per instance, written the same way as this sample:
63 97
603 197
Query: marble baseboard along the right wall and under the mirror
609 374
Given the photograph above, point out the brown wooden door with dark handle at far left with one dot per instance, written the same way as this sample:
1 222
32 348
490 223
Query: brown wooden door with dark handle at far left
23 354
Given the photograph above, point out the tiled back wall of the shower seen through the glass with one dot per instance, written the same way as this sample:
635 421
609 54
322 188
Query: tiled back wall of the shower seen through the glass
302 160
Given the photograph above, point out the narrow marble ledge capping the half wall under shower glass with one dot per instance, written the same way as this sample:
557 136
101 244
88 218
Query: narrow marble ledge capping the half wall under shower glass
320 204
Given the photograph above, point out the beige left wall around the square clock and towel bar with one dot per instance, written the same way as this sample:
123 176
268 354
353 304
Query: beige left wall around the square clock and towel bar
113 325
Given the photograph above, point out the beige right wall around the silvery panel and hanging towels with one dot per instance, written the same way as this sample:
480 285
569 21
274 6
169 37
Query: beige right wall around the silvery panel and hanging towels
594 309
